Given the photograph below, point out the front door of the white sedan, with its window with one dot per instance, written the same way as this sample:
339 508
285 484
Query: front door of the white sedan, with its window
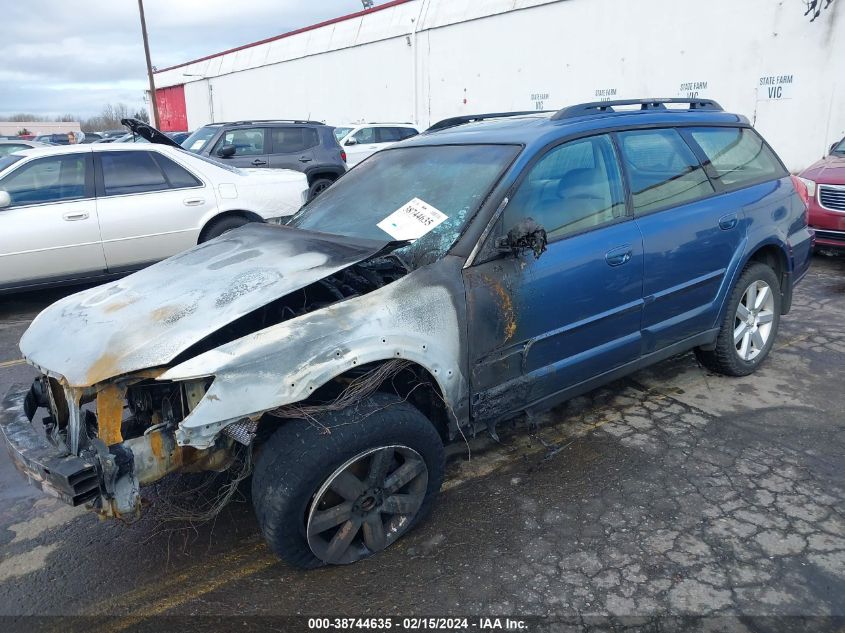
50 230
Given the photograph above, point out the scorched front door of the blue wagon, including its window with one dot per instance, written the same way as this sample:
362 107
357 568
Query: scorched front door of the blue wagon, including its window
540 326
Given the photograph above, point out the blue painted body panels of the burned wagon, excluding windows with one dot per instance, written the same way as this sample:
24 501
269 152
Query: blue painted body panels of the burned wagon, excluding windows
569 321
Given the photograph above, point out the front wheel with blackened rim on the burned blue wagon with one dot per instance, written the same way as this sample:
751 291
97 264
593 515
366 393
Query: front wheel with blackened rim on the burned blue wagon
349 484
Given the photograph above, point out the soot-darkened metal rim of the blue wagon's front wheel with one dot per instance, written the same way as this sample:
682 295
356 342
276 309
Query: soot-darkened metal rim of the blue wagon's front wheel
366 504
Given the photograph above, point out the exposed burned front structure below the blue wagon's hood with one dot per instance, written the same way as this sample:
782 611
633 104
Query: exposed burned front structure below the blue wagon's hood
99 445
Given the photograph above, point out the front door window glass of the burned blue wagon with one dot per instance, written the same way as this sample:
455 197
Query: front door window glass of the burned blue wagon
575 187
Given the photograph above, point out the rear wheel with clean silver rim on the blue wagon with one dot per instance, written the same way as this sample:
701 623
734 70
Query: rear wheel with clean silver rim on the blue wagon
750 325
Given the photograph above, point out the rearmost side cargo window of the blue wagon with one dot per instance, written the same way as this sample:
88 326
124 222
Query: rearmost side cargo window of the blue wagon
738 156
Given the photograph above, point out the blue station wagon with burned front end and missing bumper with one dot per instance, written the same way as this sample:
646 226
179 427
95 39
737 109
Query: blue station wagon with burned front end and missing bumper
496 266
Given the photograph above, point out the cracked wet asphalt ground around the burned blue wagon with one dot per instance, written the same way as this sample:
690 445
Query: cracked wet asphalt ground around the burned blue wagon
672 492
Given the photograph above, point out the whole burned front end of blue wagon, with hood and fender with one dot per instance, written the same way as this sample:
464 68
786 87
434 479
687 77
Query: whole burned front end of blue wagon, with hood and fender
176 367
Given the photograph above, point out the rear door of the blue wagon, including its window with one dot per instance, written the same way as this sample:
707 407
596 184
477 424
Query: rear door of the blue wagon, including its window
691 235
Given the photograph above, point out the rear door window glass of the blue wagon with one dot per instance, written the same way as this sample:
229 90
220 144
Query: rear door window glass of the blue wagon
662 170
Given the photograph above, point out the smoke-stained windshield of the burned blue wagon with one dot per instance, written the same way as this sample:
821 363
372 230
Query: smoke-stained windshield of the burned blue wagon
451 179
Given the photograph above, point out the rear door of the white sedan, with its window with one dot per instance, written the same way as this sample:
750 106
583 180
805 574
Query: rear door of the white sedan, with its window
149 206
